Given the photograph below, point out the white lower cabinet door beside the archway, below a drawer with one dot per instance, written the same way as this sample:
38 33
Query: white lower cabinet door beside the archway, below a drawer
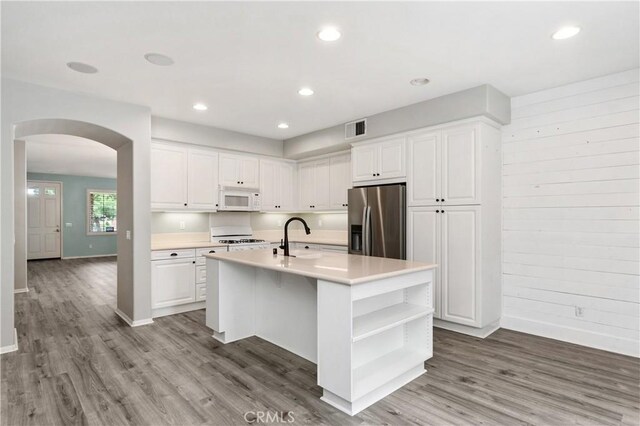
173 282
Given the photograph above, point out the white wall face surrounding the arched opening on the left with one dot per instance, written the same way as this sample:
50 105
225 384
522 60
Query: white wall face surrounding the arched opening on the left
24 102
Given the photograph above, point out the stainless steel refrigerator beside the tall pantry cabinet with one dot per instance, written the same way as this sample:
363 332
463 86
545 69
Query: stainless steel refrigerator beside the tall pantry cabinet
377 216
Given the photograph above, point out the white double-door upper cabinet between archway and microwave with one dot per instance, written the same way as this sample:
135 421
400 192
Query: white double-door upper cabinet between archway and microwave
183 178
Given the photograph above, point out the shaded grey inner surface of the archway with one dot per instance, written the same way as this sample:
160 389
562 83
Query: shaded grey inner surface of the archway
123 147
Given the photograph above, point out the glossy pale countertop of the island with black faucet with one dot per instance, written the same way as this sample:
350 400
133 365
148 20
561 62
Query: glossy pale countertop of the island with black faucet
337 267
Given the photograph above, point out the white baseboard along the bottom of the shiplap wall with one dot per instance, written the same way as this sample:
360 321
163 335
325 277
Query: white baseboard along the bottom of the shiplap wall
573 335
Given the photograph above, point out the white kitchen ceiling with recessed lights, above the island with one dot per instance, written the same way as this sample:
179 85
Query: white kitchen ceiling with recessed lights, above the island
246 61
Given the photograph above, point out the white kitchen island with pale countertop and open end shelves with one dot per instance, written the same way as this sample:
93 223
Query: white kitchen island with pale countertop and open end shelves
365 321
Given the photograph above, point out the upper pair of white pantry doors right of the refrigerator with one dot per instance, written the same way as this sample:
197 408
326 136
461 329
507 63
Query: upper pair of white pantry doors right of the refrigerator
444 167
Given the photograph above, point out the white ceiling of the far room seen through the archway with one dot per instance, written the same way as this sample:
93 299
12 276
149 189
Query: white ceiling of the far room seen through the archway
70 155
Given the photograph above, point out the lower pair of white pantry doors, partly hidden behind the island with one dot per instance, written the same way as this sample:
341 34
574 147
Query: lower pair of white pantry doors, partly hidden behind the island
450 237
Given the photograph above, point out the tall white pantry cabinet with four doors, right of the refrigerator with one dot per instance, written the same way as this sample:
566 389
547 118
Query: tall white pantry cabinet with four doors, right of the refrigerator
454 219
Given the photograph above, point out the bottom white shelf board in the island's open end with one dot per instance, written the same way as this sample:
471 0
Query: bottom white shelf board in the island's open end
378 372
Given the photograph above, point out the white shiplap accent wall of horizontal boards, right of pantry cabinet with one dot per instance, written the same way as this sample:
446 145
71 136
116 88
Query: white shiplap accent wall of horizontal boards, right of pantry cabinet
571 221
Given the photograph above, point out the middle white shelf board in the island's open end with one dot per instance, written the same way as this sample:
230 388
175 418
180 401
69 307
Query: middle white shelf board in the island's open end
381 320
